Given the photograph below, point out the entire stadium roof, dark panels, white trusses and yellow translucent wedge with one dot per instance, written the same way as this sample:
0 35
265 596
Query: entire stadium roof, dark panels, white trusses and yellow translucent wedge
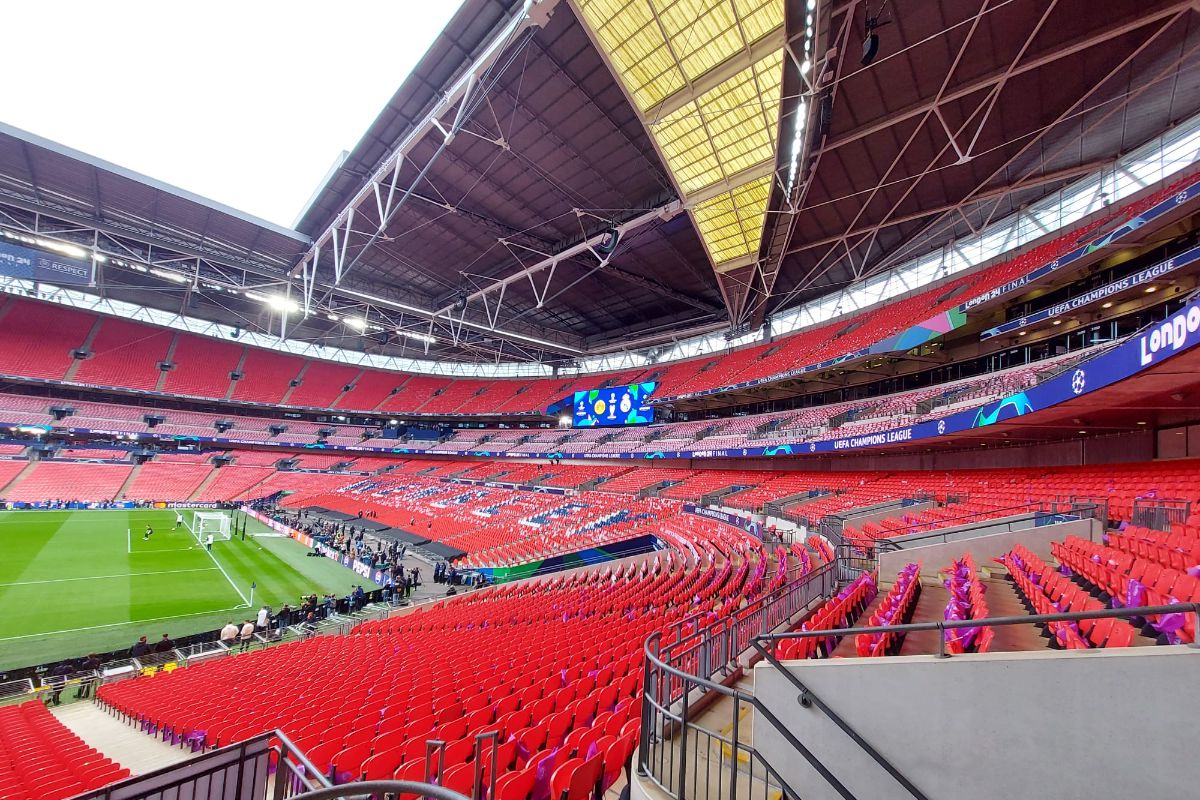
477 218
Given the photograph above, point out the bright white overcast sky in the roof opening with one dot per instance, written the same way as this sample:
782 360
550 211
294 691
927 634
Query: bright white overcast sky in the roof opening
245 103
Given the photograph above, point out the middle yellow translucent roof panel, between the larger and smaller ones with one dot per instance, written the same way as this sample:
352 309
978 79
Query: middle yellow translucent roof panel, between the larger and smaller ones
727 130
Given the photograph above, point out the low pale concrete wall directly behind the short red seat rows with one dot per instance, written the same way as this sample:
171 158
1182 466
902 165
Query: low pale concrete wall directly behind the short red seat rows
985 545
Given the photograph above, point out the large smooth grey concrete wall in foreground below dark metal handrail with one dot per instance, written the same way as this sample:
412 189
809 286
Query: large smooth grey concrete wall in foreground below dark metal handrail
1081 726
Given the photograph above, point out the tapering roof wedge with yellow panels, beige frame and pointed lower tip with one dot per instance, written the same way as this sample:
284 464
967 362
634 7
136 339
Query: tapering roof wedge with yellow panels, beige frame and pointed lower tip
728 197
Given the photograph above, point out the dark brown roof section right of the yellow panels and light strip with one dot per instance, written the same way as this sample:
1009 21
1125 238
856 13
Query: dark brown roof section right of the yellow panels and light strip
971 111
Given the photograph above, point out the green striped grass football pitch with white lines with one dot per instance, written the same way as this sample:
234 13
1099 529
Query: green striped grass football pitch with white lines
74 582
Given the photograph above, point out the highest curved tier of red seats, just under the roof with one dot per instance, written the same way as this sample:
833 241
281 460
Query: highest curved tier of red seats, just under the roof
38 340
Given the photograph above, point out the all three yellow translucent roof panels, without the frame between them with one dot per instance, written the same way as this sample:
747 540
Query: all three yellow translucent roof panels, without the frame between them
659 49
